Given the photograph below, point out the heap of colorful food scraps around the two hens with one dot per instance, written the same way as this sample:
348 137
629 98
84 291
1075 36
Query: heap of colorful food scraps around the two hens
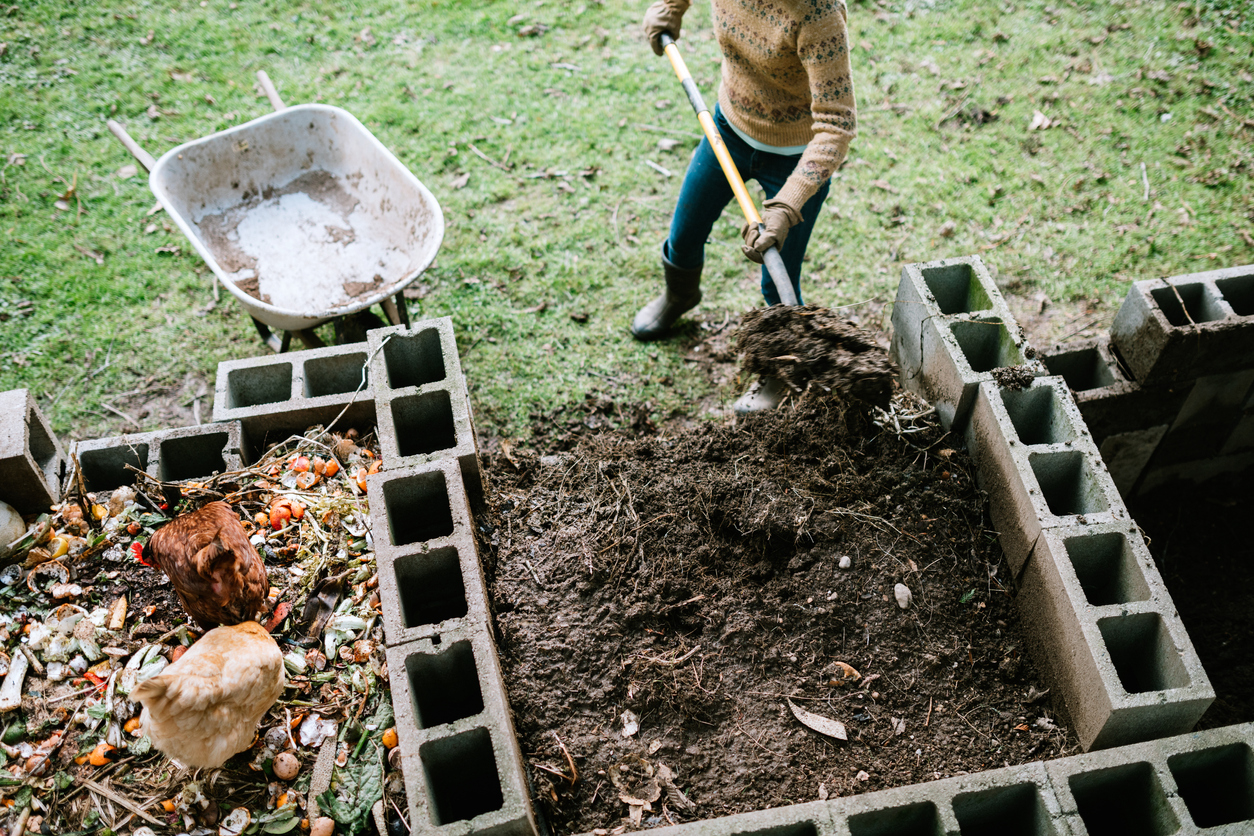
82 622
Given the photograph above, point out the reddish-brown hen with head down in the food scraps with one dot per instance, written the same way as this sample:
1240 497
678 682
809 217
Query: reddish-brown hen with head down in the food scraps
213 566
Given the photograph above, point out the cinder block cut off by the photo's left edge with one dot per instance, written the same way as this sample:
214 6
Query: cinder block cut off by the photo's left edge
32 459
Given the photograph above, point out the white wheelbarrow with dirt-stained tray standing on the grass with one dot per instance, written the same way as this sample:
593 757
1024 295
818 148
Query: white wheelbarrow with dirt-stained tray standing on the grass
303 215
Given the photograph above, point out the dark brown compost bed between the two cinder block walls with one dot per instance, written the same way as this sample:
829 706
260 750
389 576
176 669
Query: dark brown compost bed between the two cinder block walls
708 621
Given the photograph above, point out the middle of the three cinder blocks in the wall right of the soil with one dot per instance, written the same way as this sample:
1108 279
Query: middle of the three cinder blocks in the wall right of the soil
1039 466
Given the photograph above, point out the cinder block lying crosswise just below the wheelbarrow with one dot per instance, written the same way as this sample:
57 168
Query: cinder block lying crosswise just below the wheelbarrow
278 395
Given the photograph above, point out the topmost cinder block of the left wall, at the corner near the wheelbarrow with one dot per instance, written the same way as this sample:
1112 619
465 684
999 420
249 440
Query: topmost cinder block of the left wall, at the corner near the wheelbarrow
423 404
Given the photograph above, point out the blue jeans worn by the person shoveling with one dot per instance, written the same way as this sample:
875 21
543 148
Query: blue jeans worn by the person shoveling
705 194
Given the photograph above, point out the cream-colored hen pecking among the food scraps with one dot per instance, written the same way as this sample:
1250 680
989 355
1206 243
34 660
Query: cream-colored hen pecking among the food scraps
204 709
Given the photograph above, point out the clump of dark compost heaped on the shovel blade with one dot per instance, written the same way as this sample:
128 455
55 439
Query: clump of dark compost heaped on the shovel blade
812 347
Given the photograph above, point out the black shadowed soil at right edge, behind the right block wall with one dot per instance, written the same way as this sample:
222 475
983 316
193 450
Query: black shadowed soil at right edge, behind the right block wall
1202 545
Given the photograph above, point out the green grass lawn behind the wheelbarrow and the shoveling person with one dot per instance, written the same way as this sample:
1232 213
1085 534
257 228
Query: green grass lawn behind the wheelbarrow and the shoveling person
535 125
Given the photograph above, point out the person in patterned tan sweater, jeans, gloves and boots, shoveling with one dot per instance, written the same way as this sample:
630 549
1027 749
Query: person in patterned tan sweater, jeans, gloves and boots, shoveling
787 115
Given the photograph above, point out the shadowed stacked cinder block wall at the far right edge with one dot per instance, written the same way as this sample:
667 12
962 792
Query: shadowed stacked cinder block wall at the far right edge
1169 395
